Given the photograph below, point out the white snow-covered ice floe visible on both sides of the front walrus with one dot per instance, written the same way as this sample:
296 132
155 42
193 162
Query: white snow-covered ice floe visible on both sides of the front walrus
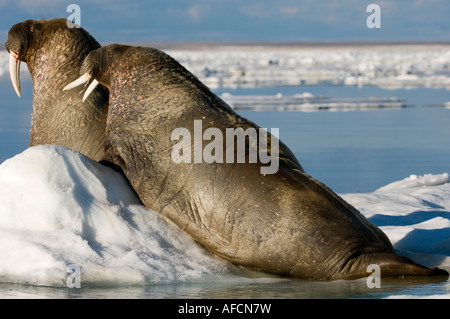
59 208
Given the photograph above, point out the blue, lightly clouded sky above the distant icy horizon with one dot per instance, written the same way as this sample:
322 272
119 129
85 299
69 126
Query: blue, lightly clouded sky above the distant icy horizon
137 21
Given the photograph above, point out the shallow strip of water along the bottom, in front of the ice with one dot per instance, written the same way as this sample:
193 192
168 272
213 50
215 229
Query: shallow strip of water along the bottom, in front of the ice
262 288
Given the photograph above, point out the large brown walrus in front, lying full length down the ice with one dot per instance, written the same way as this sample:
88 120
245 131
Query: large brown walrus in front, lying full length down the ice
283 222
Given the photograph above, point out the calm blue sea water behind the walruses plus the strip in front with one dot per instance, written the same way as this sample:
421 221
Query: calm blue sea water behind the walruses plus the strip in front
352 151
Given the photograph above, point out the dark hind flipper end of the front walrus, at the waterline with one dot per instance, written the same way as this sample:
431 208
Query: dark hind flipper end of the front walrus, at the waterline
391 265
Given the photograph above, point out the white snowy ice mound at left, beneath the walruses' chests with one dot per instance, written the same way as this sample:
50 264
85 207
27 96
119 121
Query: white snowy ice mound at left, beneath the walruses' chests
59 208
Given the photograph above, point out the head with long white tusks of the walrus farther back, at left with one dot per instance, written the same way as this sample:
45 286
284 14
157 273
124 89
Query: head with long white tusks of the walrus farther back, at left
26 40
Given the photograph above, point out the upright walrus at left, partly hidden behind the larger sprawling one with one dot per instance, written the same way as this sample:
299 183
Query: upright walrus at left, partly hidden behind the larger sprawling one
54 54
